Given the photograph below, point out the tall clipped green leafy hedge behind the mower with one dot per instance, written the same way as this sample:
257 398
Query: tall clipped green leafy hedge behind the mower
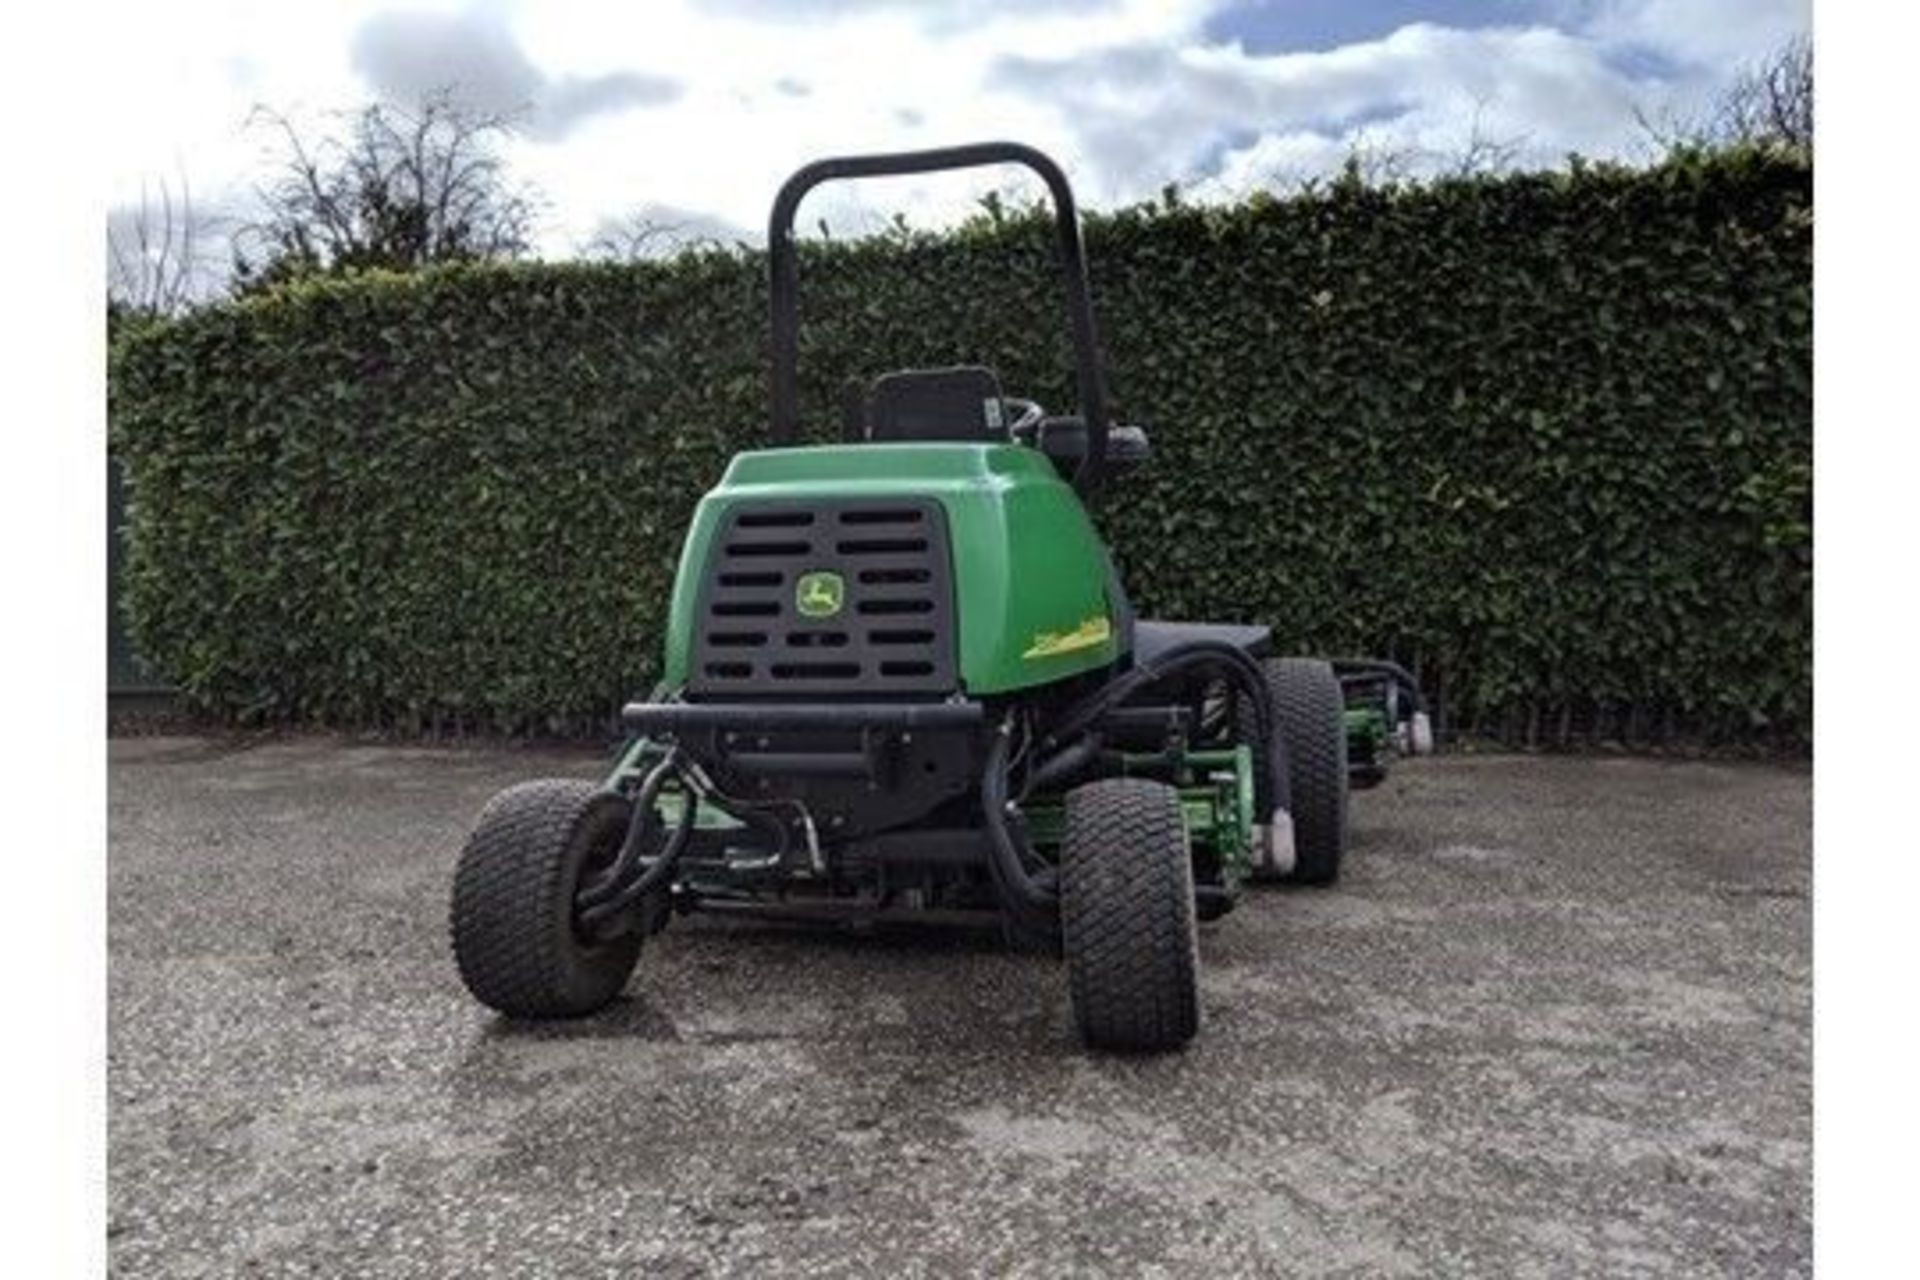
1545 439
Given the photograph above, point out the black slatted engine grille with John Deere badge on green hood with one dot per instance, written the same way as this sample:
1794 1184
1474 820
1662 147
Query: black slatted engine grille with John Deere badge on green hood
894 632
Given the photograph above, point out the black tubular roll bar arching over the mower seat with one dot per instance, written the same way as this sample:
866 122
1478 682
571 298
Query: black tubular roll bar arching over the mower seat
784 277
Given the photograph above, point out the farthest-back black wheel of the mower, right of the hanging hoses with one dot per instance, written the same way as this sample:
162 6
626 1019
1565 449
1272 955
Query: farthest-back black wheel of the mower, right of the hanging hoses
1312 726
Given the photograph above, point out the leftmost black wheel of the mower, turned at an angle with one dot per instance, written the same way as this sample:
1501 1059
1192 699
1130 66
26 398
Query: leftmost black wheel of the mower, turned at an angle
516 937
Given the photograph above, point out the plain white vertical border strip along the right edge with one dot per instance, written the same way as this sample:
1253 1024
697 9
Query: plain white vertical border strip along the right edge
1867 500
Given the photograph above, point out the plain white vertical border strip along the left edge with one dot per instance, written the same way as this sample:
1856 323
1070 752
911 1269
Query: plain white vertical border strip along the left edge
53 905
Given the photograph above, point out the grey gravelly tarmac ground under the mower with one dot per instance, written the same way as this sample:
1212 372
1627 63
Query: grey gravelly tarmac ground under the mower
1554 1022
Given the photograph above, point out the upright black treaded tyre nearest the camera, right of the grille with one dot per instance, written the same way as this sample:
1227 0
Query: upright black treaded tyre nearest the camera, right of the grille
1128 916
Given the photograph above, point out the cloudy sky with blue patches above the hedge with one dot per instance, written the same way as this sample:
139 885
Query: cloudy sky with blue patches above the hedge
694 110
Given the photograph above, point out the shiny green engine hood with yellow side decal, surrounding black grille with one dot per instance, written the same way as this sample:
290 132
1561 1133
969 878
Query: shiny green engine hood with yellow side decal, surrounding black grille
1030 571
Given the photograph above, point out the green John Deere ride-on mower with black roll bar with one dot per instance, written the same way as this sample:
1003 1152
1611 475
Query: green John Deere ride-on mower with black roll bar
903 682
